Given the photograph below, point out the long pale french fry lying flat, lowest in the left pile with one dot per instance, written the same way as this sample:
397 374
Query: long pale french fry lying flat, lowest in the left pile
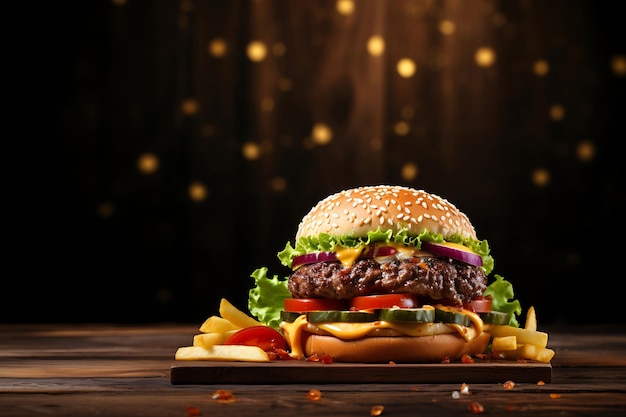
222 353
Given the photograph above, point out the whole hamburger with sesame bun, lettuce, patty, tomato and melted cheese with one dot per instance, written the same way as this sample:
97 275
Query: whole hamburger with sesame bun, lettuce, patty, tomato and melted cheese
384 274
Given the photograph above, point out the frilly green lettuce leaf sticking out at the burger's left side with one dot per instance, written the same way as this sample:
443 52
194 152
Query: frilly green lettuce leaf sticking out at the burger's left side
266 299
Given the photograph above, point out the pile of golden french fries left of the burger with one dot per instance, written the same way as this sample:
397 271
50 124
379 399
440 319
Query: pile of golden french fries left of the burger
215 331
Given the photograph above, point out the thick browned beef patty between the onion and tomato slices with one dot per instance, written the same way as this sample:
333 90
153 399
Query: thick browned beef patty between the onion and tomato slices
433 278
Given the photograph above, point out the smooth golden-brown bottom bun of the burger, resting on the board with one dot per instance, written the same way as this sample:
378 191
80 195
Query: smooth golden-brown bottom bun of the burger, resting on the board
400 349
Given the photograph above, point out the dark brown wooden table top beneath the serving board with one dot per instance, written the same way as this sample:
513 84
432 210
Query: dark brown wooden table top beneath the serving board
124 370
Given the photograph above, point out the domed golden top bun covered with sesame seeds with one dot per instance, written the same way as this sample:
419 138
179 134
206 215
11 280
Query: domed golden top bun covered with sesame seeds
360 210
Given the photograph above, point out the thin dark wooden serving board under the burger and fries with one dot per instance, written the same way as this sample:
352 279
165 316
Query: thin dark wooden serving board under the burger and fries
295 372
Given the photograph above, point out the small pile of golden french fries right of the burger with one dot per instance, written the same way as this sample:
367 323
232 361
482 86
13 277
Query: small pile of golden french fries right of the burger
522 343
